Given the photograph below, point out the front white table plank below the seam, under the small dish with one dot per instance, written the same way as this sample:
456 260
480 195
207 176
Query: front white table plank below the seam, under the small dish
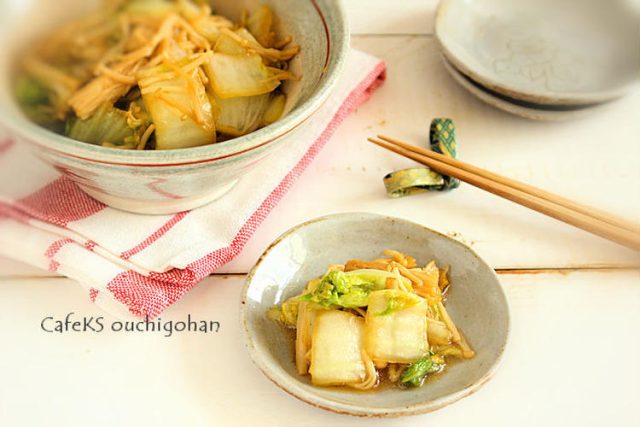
572 356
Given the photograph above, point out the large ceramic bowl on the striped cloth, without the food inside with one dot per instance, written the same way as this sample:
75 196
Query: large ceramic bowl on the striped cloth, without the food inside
175 180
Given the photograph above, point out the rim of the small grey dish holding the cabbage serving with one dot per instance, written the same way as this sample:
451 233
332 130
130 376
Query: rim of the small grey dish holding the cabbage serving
284 381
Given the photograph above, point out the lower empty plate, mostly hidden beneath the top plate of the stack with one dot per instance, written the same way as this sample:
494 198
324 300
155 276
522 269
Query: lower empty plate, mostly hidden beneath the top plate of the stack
520 108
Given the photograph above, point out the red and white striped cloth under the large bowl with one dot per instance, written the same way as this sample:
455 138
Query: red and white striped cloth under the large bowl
141 264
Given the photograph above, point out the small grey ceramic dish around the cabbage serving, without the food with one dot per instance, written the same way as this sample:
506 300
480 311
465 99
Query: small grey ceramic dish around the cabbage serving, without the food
475 301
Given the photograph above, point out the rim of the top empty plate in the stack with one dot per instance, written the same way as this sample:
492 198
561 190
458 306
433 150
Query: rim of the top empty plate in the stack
514 91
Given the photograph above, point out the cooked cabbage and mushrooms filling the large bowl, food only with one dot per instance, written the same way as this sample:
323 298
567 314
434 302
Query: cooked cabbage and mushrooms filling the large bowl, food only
195 74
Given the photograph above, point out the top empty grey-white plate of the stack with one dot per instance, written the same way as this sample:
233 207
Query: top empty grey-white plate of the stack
543 51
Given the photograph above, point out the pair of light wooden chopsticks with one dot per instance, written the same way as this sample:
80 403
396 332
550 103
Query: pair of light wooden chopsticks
587 218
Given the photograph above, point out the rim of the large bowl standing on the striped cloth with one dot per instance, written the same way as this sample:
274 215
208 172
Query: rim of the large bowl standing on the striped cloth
337 39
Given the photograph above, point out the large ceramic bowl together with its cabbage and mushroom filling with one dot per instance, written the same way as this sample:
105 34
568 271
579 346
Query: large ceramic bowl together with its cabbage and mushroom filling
159 106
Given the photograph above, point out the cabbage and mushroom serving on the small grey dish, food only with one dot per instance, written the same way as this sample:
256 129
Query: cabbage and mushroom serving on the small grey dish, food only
366 320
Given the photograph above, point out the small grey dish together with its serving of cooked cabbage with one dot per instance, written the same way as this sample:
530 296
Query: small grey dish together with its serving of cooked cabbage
374 316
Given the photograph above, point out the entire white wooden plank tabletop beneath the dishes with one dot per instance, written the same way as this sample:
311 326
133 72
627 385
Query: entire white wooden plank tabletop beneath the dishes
575 301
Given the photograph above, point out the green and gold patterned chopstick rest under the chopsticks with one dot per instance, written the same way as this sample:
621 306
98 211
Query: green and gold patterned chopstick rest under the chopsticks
405 182
